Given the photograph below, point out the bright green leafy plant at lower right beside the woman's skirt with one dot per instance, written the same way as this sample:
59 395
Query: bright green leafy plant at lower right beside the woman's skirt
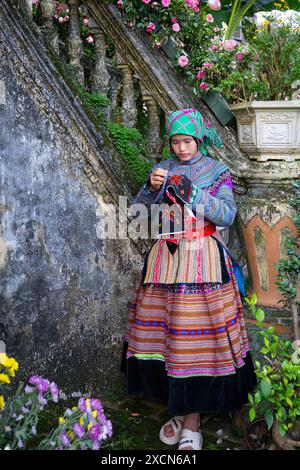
277 396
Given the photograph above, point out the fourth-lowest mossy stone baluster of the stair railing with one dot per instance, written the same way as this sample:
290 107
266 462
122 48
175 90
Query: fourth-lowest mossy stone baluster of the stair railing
74 42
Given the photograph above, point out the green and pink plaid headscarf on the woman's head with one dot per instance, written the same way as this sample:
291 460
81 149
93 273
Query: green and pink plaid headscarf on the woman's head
191 122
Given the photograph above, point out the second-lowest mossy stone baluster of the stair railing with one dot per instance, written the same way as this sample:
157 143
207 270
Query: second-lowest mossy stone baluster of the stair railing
129 110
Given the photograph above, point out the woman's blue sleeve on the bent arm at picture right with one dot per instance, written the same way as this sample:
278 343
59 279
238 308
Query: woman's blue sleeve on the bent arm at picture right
221 208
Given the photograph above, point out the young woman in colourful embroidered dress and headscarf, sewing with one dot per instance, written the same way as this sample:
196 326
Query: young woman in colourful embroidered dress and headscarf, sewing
185 341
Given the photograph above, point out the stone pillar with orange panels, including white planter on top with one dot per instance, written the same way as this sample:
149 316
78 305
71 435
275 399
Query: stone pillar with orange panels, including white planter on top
268 133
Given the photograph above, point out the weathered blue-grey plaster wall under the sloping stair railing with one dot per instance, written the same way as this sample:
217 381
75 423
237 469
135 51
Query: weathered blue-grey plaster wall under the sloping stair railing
63 290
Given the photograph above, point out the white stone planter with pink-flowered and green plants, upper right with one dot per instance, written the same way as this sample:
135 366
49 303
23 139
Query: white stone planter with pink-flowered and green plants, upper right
257 80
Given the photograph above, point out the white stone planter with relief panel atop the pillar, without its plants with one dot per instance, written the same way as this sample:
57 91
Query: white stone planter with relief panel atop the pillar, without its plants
269 130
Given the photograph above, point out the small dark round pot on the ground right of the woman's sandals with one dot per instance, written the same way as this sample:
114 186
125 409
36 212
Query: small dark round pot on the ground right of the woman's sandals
257 435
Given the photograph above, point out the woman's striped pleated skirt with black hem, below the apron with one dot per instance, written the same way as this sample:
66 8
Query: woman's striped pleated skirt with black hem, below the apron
187 345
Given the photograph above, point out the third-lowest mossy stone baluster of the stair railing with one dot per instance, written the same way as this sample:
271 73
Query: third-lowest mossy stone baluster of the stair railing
100 77
